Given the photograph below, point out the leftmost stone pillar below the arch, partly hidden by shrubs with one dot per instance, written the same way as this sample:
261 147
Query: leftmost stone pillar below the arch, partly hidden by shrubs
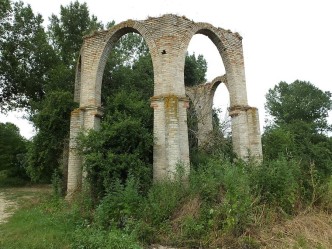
83 118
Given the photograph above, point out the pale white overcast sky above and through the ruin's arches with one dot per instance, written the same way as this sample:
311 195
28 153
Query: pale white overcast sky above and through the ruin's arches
283 40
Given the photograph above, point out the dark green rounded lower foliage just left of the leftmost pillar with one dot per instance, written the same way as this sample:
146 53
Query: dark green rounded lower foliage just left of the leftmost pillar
52 122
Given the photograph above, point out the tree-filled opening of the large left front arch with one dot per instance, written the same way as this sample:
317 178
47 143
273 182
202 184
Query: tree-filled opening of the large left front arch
126 126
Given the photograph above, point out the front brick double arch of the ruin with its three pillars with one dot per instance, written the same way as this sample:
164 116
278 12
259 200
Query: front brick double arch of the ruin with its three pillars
168 38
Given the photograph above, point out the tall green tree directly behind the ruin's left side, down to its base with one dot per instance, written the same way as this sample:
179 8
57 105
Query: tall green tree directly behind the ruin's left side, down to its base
51 115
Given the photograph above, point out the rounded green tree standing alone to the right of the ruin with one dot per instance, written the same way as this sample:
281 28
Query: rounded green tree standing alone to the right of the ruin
298 130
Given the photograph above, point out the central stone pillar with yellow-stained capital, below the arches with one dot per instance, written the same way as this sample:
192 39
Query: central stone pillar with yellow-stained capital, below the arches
170 135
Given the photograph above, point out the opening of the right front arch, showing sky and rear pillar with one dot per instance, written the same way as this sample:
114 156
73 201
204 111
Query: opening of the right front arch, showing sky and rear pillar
204 98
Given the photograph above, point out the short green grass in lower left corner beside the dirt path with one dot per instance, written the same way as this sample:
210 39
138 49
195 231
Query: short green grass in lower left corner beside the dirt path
36 223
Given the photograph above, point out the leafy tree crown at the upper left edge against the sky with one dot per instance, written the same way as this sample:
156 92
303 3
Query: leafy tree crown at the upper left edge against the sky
25 59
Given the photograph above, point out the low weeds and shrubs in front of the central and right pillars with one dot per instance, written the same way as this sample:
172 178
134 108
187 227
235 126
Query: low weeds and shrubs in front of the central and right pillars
226 205
